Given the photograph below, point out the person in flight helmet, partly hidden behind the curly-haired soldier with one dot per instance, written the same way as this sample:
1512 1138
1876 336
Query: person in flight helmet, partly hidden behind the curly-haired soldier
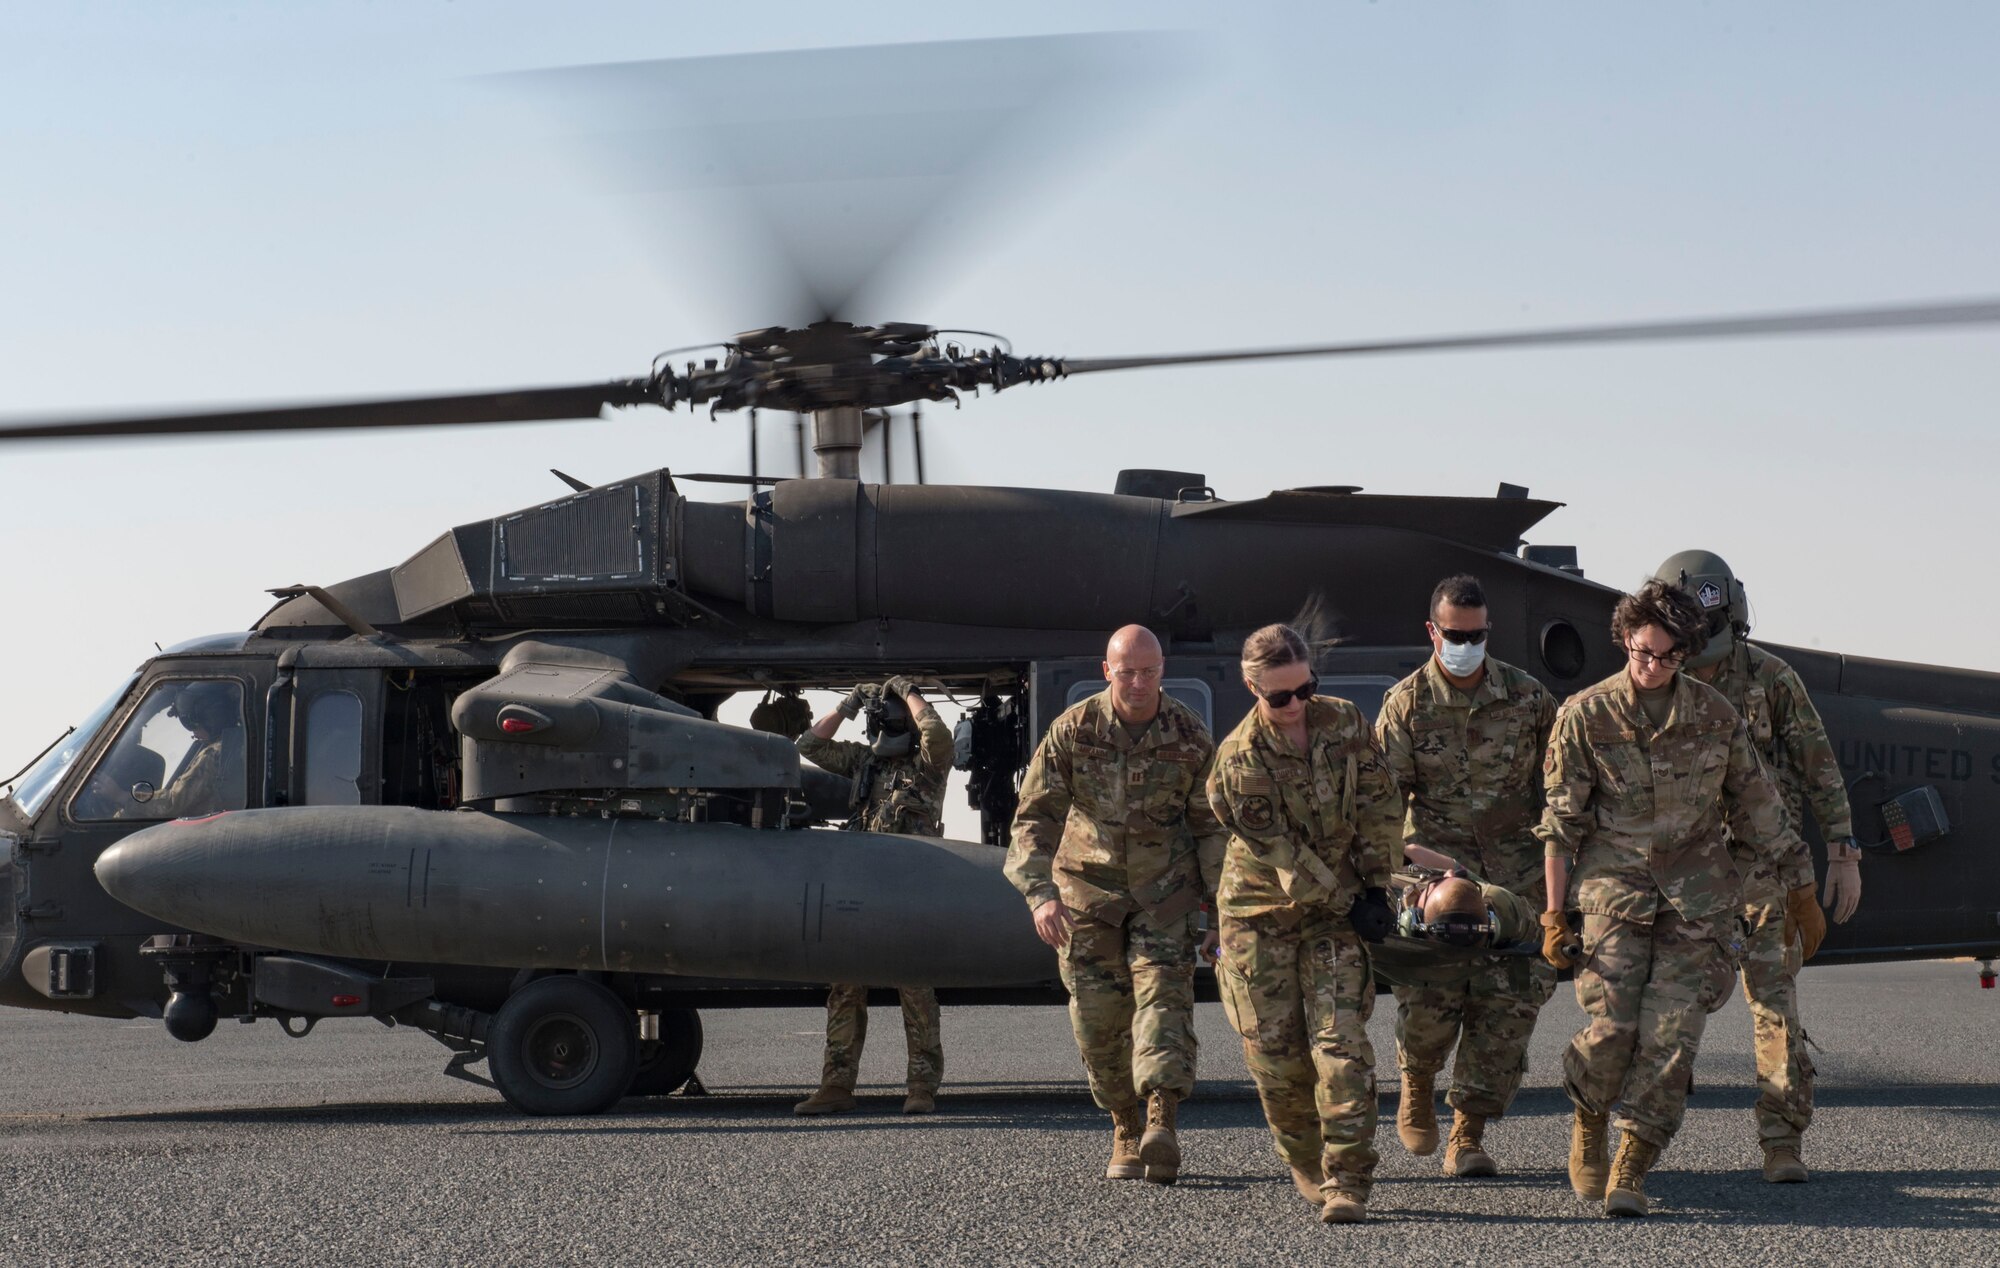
1789 735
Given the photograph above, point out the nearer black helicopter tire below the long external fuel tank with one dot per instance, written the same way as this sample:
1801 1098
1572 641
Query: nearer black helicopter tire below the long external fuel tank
563 1045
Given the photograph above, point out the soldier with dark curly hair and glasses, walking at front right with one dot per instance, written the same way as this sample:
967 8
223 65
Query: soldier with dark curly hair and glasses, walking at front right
1649 775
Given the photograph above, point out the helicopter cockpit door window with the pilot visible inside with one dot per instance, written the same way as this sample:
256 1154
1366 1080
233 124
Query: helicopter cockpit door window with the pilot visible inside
179 755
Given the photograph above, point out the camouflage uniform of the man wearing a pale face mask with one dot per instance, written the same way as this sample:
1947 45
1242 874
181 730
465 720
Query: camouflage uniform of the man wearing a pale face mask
1469 765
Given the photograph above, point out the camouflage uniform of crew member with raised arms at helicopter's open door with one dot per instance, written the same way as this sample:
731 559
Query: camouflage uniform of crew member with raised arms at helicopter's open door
891 795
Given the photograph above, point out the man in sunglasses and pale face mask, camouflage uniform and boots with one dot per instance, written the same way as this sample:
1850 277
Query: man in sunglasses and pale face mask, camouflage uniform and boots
1463 741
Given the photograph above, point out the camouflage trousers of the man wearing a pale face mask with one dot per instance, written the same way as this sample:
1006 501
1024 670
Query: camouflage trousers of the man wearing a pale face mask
1489 1017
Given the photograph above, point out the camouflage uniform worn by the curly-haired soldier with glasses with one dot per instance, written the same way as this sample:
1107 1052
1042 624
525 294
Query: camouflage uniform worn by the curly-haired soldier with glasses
1645 817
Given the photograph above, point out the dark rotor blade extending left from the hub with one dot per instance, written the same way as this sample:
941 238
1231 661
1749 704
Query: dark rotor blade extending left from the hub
529 405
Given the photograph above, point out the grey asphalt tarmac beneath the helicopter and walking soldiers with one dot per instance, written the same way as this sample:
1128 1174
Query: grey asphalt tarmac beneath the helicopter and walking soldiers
121 1145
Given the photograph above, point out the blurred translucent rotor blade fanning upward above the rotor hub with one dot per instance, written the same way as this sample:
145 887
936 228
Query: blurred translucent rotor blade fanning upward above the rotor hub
815 175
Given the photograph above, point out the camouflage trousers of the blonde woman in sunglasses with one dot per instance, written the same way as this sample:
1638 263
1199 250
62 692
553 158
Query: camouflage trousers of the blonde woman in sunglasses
1299 993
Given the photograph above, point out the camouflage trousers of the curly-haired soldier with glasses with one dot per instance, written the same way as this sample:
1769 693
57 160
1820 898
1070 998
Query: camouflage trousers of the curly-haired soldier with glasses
1647 991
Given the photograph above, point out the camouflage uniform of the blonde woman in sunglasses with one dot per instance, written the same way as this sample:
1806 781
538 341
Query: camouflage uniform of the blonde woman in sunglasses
1309 833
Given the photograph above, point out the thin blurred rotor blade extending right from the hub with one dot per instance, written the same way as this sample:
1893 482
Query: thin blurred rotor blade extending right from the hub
1827 321
